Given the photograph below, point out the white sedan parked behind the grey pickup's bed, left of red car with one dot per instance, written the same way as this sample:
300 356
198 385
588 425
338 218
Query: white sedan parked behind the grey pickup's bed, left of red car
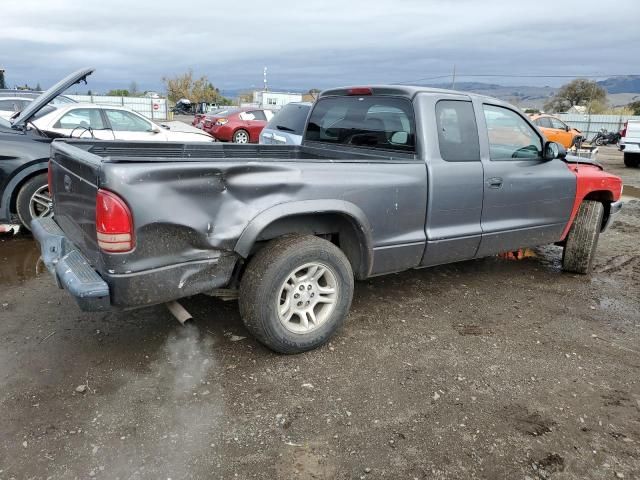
87 120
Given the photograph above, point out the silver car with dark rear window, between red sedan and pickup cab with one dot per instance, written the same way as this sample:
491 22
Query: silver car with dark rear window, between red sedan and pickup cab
287 126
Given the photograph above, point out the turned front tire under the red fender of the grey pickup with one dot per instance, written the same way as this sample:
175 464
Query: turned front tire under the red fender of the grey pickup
582 240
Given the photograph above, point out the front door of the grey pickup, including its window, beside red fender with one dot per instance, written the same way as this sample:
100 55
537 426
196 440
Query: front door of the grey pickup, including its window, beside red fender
527 200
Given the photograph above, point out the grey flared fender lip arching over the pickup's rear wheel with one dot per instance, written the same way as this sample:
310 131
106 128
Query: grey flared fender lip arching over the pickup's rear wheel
344 222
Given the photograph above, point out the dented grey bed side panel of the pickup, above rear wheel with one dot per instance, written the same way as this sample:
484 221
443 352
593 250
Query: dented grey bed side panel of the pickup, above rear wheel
187 210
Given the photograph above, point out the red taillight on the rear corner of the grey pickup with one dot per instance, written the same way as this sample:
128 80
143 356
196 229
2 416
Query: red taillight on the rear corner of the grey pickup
114 223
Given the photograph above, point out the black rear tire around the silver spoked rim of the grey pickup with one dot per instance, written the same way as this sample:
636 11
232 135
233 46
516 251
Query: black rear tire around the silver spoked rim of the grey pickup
261 291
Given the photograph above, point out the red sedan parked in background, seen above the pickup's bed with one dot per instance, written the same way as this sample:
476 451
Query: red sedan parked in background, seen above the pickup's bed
241 126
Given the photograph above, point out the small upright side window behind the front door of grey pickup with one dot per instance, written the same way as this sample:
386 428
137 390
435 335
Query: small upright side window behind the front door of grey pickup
457 131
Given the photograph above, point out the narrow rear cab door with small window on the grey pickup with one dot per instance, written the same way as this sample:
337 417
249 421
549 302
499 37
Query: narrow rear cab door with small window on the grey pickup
455 179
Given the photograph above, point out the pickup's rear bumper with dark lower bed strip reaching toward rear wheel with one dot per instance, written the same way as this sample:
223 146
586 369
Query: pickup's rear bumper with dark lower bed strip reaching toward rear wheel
97 292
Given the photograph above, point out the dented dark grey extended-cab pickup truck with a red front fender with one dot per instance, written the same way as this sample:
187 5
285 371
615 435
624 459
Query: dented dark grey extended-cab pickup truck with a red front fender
388 178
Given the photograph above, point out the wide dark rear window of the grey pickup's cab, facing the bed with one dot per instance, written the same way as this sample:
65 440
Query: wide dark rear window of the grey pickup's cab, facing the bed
371 122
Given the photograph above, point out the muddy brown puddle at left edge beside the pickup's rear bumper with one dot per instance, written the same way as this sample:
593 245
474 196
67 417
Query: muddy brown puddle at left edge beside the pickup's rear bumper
19 259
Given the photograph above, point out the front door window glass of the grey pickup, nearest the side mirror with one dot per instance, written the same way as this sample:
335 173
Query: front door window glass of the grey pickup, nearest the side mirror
510 136
